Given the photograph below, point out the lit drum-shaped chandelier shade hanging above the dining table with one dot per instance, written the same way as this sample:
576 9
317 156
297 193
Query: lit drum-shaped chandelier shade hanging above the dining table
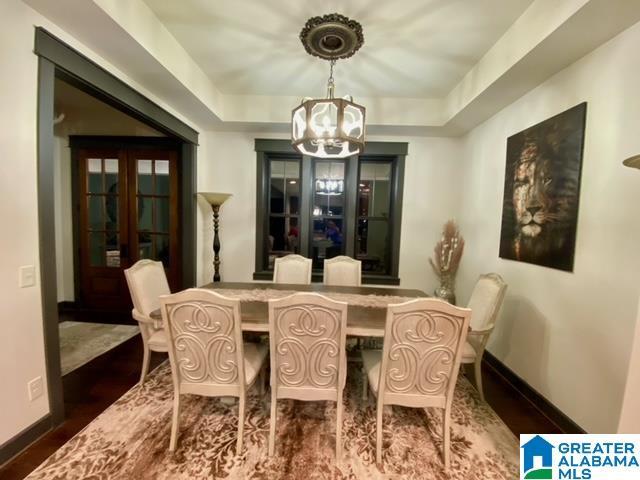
328 127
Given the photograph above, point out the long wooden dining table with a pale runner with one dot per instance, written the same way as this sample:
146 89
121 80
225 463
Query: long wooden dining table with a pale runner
367 305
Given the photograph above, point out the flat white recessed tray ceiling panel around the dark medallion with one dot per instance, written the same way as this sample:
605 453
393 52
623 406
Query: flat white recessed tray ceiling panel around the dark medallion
413 48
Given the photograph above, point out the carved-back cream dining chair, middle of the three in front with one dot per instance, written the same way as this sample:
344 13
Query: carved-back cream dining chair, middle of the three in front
307 334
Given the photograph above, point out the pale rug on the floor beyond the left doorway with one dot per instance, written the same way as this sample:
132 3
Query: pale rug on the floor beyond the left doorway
81 342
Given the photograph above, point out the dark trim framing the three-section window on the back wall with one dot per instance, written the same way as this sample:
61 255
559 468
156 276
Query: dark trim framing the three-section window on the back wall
267 149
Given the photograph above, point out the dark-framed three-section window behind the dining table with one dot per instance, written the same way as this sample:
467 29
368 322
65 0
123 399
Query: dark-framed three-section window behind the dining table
322 208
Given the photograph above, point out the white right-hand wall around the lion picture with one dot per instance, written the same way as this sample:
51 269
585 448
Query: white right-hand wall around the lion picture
569 335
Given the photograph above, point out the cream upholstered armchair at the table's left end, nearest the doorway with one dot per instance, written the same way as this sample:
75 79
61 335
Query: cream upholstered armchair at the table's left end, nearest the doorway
147 281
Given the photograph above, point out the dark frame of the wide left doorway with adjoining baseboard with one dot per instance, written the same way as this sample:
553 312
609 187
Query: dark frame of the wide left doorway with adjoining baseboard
56 59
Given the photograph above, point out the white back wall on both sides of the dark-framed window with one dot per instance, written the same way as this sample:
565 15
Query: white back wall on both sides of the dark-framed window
429 200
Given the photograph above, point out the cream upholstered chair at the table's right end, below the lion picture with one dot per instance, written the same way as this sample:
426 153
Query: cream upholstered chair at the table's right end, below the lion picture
485 302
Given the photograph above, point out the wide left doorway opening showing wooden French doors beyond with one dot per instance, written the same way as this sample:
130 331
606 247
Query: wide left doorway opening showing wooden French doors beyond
116 202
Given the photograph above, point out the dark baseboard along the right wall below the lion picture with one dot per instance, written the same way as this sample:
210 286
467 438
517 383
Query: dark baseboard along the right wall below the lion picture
553 413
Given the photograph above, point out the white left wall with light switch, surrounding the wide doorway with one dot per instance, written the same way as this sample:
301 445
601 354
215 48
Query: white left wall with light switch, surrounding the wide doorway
22 343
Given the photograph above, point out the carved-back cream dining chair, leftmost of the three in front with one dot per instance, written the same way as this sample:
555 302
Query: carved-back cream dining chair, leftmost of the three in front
206 351
